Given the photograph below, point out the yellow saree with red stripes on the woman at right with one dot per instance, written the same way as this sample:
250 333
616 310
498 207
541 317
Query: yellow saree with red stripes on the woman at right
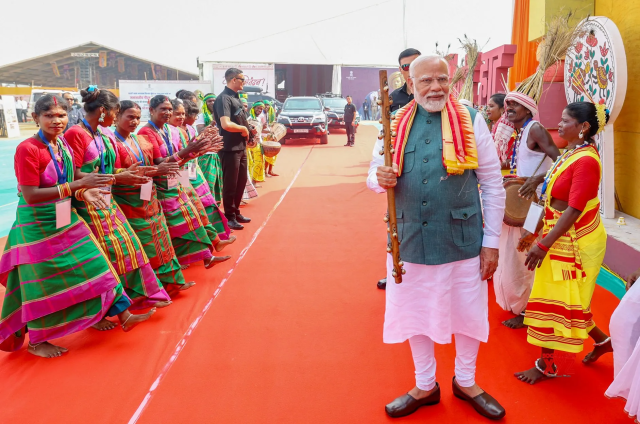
558 314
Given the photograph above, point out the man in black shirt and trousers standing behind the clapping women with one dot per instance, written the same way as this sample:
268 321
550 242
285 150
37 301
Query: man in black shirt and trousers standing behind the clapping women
229 116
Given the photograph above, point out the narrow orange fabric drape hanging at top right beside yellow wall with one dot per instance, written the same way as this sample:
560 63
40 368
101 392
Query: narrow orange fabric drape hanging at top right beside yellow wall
525 62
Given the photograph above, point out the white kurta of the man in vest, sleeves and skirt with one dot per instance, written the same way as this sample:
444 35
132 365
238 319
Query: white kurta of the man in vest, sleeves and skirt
440 300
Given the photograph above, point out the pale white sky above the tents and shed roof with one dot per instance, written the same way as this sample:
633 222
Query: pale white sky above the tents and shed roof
177 33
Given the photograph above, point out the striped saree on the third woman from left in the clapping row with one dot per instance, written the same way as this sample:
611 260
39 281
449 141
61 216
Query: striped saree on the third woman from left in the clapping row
147 220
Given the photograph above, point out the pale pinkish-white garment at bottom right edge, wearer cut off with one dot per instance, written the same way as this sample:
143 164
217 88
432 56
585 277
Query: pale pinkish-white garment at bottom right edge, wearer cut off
625 339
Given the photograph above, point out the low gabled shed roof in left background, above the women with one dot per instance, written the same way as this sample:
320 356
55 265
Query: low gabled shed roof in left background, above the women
38 69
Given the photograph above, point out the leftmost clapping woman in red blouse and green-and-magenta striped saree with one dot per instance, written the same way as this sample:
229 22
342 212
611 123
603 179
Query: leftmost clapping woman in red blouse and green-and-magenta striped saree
58 280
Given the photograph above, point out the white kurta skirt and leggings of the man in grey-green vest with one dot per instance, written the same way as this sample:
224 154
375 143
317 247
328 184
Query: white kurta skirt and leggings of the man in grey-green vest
432 303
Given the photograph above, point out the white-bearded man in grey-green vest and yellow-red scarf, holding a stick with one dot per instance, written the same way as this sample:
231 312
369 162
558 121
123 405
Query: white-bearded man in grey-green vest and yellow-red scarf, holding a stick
442 151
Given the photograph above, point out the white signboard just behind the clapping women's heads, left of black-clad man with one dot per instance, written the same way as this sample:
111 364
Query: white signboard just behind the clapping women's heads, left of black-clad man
142 91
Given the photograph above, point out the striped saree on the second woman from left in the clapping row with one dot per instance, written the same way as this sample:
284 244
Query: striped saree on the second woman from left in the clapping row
116 236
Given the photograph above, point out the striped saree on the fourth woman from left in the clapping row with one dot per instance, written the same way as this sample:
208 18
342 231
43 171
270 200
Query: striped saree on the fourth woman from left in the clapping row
189 235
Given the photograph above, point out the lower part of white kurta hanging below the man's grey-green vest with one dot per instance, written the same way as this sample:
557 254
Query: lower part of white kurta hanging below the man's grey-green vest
437 301
